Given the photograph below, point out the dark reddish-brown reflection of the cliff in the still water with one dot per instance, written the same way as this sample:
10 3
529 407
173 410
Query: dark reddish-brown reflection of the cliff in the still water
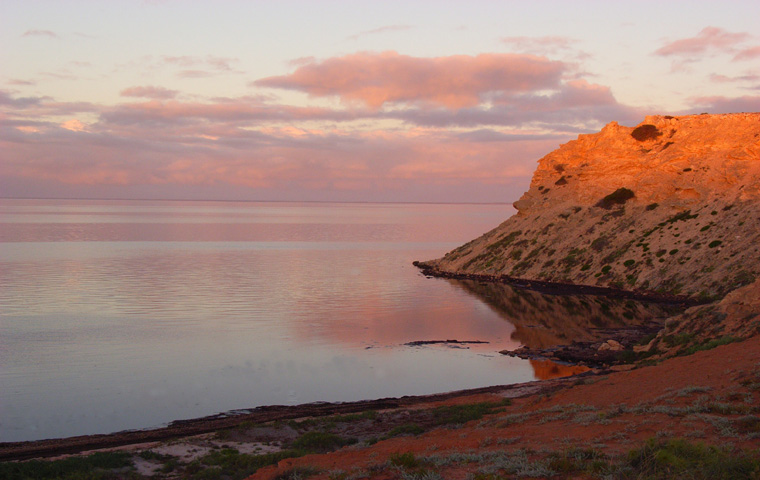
542 320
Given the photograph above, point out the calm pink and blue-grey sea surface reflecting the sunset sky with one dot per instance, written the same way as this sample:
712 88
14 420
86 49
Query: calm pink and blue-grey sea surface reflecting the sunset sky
120 315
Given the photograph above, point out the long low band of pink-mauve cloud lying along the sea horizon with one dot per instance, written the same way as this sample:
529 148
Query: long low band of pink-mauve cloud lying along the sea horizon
280 159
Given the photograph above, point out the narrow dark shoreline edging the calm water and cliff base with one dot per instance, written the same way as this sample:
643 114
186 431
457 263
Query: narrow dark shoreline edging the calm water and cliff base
579 354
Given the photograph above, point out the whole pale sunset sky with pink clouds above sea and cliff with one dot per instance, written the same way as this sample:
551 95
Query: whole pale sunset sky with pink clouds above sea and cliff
392 101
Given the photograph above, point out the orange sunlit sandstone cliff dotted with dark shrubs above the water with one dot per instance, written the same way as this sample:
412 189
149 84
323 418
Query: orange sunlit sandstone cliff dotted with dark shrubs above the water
670 206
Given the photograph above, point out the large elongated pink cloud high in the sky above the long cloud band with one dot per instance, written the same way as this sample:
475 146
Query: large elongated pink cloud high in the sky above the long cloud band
454 82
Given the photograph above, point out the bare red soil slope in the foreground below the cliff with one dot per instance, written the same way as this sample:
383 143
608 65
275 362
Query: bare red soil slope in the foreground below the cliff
613 413
